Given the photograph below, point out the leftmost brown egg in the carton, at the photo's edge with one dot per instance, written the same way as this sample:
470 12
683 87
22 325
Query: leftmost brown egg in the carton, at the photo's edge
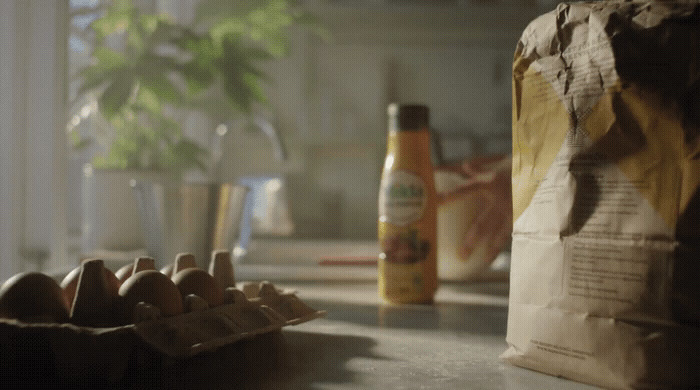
33 297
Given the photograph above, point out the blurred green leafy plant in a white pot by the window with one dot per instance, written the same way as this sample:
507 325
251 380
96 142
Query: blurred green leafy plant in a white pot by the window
146 69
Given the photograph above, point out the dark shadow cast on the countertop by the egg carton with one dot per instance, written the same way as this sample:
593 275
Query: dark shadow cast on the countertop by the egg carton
278 360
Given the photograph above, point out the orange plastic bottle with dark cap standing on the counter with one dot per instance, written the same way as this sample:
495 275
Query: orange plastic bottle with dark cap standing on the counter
407 209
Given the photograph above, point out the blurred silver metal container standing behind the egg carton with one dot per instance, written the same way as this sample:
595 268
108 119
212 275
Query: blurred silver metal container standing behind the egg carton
185 217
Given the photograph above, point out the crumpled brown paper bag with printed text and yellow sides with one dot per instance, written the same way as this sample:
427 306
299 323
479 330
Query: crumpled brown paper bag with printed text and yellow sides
605 277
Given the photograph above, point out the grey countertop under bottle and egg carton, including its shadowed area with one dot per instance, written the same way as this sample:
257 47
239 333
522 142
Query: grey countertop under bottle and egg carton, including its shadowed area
361 343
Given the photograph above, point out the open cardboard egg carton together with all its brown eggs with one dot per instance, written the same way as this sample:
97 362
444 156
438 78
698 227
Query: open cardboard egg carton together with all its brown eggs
93 319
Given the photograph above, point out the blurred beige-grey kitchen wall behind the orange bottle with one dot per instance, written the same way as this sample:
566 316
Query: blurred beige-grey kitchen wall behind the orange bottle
330 98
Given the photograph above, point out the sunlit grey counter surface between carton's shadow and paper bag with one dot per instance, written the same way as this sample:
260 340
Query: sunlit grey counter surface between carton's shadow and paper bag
364 344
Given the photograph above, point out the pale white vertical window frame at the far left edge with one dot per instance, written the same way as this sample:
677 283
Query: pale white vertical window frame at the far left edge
32 138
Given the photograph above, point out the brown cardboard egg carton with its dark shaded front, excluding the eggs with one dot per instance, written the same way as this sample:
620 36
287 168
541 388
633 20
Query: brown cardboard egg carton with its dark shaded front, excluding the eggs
88 353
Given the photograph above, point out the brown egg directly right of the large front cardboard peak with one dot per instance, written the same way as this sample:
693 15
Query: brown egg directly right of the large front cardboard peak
151 287
